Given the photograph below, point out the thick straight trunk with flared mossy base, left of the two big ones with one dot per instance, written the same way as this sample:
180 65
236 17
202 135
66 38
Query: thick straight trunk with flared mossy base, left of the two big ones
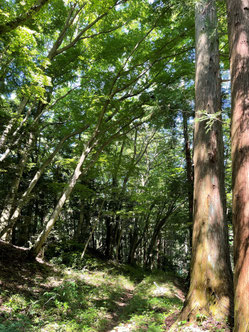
210 291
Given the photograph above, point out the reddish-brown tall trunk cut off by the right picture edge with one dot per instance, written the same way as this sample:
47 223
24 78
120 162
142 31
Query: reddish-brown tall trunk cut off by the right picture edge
238 24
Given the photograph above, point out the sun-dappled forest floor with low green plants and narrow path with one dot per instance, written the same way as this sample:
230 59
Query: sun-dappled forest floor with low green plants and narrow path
97 296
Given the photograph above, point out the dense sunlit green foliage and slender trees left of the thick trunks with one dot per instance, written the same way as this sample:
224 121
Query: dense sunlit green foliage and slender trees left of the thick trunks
110 82
